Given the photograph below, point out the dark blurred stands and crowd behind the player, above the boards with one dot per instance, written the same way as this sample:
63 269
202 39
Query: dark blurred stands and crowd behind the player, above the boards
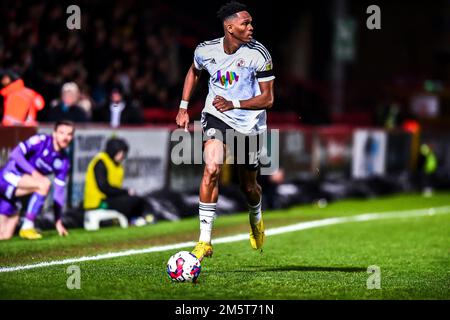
330 67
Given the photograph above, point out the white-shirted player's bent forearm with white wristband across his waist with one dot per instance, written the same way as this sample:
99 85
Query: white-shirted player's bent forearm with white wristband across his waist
262 101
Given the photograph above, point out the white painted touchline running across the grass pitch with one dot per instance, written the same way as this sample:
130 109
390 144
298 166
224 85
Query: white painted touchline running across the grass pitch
240 237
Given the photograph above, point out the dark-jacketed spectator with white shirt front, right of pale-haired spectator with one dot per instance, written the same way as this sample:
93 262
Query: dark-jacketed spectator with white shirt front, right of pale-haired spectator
118 110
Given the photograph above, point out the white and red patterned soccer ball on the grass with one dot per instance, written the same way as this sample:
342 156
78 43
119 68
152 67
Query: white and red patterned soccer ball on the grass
183 266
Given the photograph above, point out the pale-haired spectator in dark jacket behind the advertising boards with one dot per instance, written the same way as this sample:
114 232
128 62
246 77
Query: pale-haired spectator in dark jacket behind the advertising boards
68 107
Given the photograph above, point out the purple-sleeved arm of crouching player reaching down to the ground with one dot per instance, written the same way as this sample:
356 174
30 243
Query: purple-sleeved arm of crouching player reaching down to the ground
59 198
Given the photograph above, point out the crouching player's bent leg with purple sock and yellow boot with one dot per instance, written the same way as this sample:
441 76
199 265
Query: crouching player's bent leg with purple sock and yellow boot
39 189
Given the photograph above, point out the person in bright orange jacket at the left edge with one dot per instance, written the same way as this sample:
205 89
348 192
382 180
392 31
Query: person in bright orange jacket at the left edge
21 104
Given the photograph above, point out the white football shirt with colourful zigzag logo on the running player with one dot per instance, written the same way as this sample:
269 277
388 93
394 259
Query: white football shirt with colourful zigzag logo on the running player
235 76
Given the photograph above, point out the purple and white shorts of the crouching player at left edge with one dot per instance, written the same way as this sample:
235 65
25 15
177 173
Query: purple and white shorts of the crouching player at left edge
8 186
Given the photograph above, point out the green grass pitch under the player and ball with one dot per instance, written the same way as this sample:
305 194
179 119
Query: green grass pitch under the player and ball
328 262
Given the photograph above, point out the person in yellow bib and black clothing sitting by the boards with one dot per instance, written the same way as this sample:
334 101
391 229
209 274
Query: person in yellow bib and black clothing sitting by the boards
104 184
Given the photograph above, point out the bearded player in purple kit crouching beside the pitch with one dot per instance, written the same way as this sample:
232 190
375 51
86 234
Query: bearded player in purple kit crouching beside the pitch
25 173
